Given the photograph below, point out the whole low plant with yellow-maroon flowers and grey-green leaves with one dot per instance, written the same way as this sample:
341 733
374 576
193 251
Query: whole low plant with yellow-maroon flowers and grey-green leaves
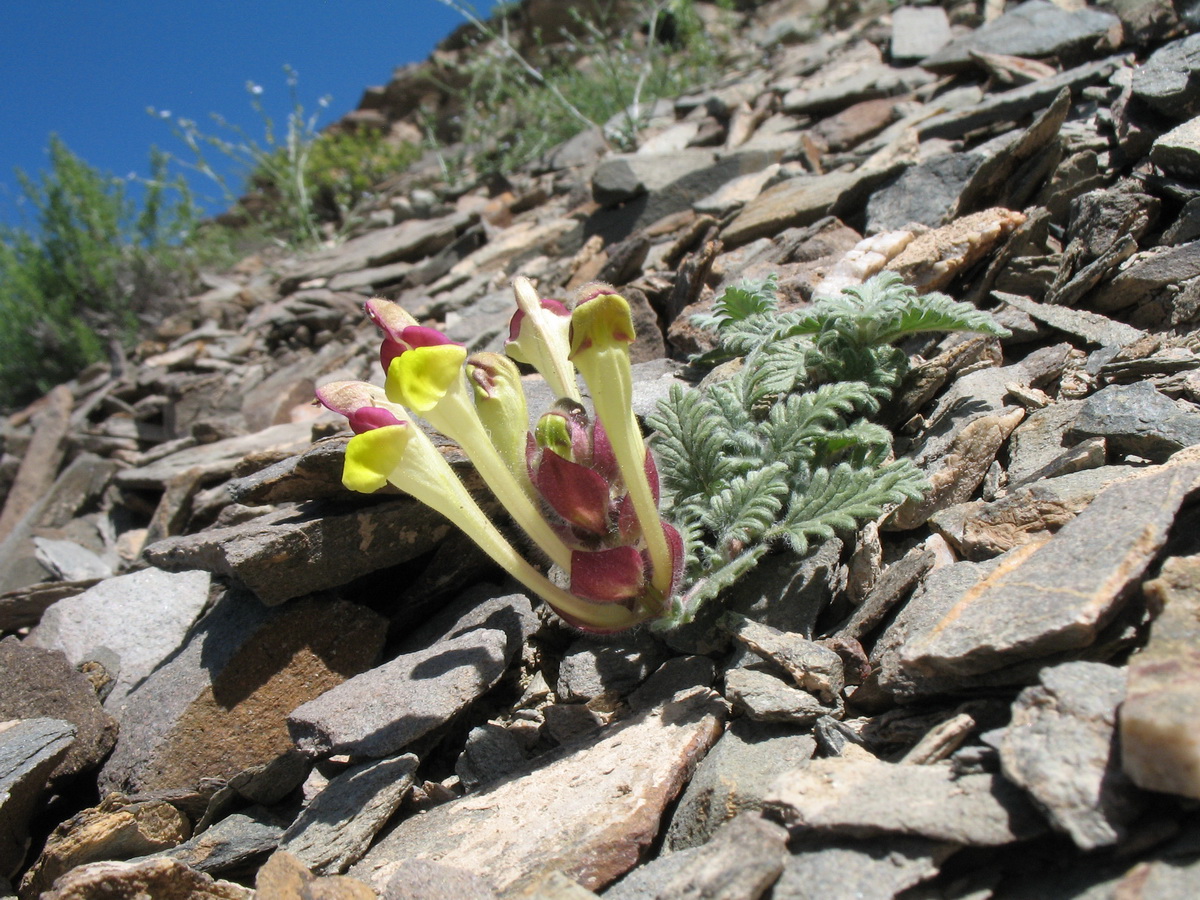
782 451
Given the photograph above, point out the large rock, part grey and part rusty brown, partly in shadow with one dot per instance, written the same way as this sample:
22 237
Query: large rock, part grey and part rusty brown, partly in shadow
221 705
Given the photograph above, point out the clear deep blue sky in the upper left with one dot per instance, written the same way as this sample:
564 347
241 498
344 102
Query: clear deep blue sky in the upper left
88 70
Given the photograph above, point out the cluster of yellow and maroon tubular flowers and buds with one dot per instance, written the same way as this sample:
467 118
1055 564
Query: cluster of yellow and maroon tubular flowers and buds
585 491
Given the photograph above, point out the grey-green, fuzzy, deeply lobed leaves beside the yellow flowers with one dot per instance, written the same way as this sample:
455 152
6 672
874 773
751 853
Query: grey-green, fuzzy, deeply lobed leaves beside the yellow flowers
783 449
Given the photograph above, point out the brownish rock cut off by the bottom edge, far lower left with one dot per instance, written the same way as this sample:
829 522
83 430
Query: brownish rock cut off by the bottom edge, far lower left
159 879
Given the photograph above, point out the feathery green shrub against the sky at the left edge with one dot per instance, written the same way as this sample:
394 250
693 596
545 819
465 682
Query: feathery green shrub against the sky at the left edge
75 279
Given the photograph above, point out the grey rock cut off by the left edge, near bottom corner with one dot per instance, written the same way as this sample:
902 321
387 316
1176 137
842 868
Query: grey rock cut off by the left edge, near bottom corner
31 749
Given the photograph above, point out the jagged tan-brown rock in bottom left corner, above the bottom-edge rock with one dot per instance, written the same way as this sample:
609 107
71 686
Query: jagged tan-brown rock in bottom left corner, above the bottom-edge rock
118 829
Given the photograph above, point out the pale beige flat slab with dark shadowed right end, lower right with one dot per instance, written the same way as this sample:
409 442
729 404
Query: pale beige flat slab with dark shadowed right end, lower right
865 799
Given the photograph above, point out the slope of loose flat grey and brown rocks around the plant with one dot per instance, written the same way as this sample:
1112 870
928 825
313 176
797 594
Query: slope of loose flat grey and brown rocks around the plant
227 677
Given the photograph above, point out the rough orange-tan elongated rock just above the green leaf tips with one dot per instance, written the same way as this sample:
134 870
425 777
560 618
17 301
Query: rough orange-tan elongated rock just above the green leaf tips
933 260
